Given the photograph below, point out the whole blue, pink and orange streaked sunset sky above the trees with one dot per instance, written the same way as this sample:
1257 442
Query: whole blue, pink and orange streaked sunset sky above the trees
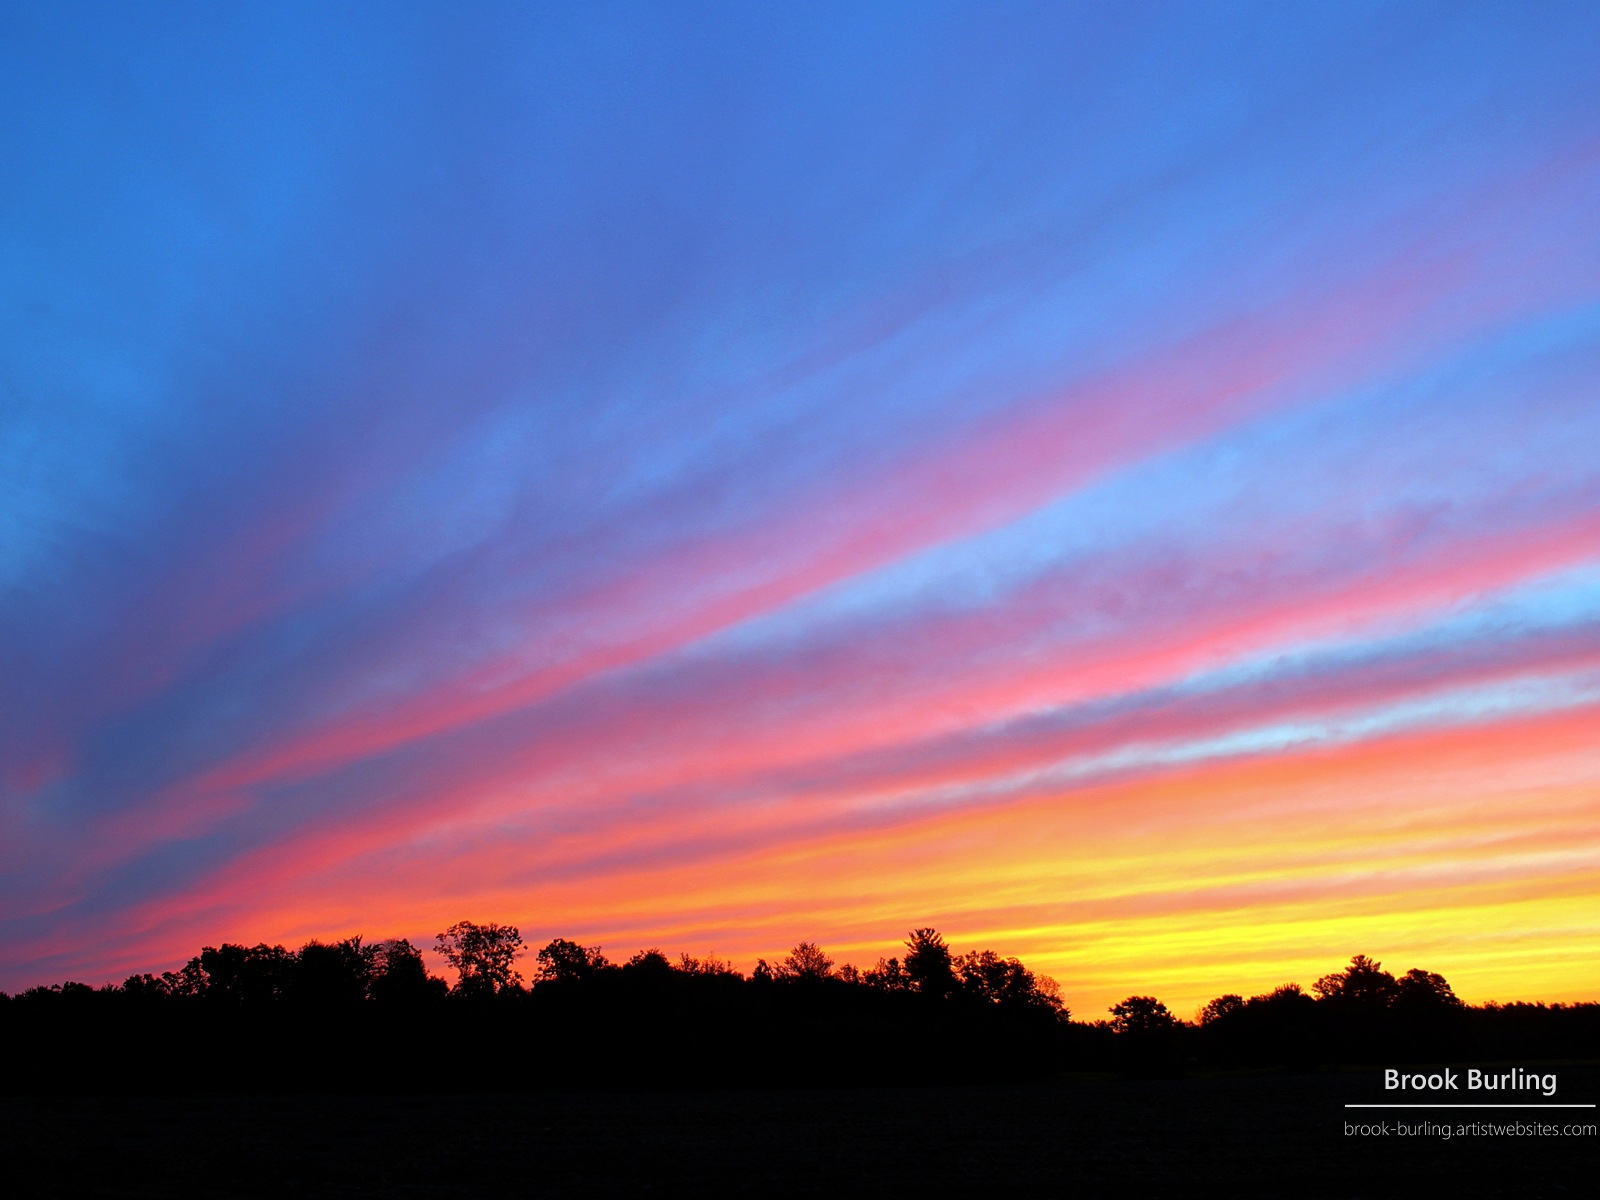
1119 484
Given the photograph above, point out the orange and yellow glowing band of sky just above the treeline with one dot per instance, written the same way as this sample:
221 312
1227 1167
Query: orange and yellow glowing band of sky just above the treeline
1466 852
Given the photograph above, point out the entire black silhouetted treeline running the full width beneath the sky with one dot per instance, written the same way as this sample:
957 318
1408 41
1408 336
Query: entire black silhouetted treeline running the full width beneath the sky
369 1017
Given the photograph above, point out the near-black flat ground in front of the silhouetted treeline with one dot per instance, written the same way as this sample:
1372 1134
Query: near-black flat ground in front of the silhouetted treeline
1244 1135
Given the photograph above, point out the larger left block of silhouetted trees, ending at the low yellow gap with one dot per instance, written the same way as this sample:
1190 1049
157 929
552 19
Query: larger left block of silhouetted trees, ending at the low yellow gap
367 1017
